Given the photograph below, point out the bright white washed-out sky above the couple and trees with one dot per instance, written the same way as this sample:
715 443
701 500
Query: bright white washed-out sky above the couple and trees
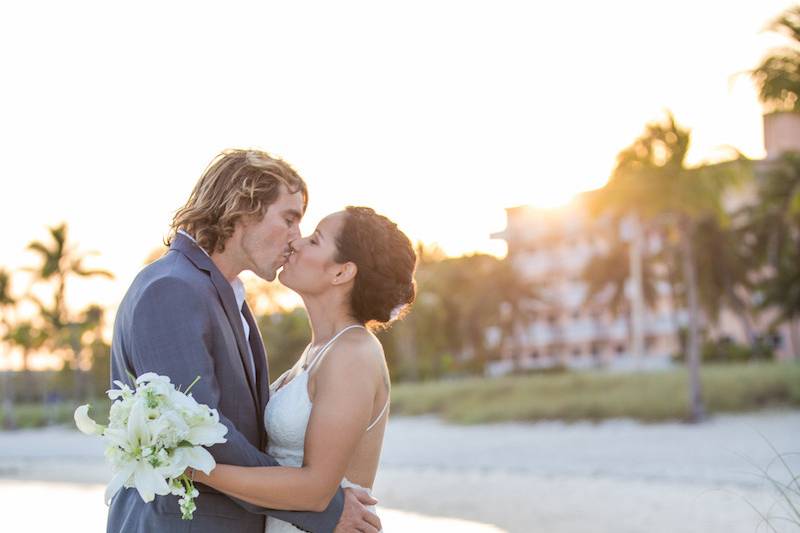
437 114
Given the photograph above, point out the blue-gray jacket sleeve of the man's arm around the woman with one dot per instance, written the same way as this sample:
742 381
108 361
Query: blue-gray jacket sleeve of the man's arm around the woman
171 336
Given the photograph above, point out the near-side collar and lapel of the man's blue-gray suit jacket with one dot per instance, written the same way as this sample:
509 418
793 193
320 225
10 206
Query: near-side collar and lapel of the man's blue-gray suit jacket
226 296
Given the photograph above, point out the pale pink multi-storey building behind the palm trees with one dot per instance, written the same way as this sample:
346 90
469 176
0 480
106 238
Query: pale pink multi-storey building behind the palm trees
551 247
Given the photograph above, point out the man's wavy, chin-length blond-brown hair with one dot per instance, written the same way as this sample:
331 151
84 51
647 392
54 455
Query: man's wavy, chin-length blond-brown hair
237 184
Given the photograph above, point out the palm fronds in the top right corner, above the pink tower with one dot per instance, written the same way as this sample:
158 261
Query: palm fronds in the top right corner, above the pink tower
778 75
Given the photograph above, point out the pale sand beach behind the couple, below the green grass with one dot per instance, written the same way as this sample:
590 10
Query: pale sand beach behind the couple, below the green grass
619 476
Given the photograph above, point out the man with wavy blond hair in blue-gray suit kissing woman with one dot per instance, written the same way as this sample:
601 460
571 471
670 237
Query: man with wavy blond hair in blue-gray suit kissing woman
185 316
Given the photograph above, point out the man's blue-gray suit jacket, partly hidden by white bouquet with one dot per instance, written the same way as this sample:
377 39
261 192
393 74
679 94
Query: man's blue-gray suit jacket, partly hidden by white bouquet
179 319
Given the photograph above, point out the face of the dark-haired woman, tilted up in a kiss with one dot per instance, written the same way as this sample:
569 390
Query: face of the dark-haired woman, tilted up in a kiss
311 268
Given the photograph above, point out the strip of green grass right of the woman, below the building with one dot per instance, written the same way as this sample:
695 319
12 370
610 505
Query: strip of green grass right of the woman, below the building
651 397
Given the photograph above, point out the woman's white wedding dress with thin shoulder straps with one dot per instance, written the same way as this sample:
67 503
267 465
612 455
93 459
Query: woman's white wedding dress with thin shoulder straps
286 418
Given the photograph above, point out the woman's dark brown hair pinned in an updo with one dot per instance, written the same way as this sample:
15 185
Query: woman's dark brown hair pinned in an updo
384 286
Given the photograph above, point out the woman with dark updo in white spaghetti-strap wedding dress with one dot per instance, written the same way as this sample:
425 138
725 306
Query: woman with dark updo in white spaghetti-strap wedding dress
327 414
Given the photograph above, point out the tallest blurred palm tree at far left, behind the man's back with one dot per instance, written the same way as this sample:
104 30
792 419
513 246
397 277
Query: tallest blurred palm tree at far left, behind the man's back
60 262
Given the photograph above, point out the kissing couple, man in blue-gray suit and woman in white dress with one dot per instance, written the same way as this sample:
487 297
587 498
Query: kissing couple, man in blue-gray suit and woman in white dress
302 451
